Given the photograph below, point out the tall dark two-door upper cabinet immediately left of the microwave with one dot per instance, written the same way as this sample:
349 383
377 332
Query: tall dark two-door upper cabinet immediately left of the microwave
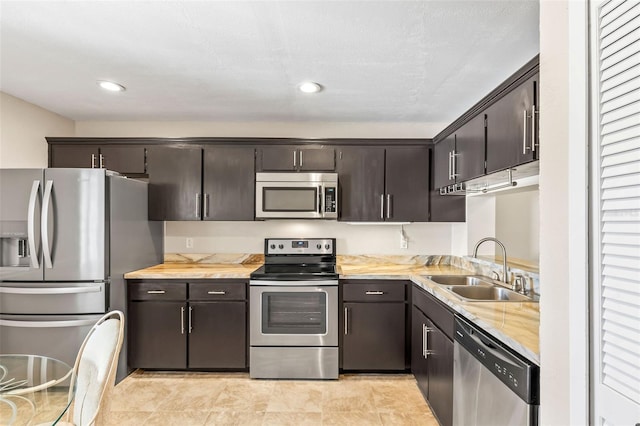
192 183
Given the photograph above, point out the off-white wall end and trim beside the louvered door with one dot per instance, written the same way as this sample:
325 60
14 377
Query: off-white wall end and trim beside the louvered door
564 328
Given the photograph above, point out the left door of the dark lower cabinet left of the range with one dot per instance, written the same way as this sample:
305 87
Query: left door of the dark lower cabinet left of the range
157 338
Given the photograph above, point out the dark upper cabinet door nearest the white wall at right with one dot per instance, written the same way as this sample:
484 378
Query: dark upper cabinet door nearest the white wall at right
509 130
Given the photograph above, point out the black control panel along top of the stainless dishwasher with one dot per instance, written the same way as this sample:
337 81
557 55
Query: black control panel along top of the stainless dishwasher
519 374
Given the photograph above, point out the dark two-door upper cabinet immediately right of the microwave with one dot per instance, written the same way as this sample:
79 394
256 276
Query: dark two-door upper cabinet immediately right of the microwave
383 184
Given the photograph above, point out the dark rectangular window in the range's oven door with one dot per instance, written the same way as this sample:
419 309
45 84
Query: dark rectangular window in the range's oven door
294 313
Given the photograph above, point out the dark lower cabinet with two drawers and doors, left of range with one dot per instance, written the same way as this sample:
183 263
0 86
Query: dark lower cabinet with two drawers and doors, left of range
196 325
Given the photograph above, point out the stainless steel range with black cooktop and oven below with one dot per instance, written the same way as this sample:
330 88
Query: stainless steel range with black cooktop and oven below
294 311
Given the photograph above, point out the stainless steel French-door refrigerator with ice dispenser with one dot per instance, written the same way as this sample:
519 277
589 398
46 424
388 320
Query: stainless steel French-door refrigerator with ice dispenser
67 236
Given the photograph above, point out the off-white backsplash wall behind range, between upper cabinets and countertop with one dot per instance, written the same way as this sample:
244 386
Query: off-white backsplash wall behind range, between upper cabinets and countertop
248 237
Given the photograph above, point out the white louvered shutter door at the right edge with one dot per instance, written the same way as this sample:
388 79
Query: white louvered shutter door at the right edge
616 346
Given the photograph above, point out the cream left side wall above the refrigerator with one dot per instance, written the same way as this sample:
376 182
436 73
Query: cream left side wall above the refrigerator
23 127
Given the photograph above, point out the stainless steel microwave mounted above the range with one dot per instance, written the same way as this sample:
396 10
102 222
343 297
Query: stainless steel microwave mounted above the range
296 195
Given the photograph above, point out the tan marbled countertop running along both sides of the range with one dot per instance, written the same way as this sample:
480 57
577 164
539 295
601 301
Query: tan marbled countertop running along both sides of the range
514 323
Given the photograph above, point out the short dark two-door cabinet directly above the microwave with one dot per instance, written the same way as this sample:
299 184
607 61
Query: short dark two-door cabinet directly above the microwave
296 158
